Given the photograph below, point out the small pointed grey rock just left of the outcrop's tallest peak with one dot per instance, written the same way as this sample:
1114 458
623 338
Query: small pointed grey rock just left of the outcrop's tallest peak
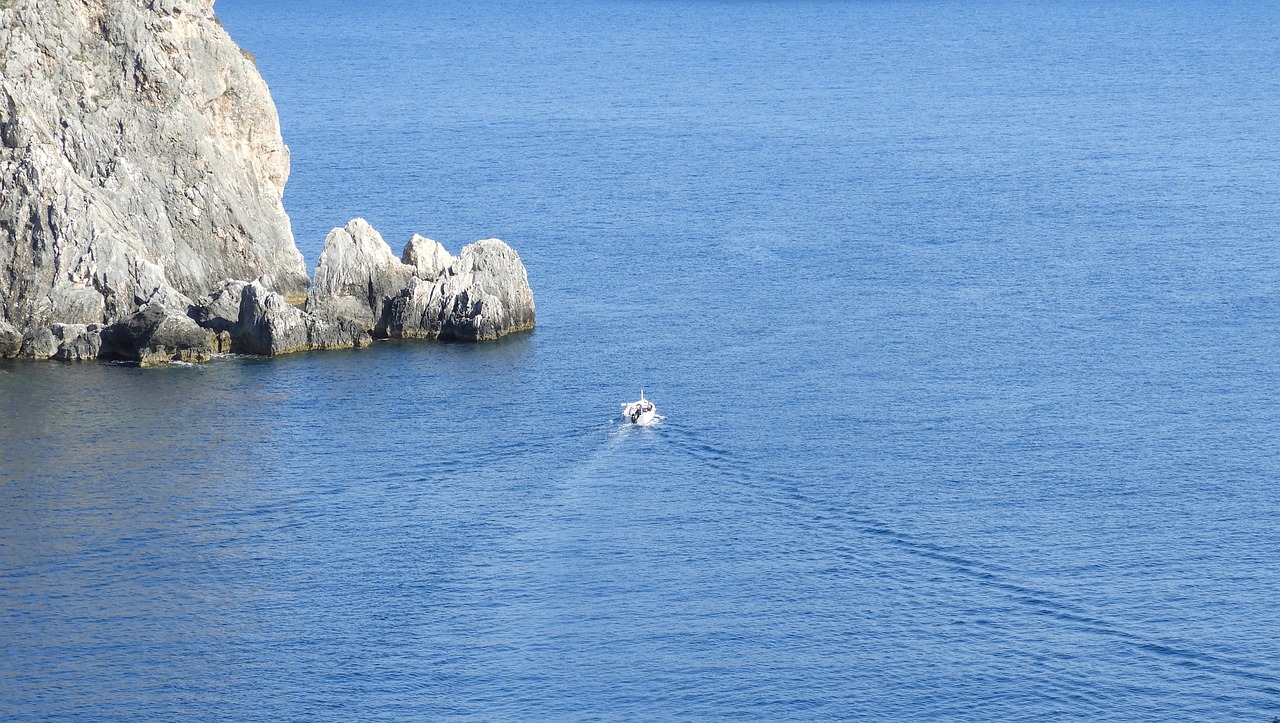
271 326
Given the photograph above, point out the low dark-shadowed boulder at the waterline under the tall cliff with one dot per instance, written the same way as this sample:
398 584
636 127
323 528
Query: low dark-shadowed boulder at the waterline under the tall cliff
158 336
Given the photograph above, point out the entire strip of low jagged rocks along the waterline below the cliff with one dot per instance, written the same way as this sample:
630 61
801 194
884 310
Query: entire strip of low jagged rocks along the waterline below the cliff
363 292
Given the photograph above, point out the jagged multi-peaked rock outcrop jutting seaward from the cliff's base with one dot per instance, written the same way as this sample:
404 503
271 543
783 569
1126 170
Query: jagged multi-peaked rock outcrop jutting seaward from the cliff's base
364 292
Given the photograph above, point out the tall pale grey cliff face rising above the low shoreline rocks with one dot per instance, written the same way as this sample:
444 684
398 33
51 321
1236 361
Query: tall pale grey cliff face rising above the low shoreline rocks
140 153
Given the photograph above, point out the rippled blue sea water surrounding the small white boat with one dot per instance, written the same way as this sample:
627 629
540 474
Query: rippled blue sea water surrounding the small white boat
964 317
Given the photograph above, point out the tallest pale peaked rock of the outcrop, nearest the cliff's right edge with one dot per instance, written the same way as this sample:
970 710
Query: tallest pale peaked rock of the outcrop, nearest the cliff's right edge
358 276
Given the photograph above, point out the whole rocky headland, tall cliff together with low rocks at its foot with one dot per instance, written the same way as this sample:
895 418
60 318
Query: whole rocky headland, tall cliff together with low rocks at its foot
143 168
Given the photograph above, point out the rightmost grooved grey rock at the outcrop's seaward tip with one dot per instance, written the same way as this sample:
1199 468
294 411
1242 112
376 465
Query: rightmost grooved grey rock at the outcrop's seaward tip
483 296
